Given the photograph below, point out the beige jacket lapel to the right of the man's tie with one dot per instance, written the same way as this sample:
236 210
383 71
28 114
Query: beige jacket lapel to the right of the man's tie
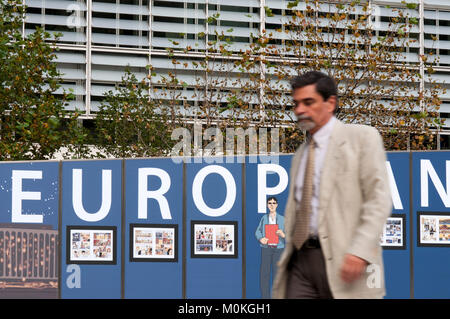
331 164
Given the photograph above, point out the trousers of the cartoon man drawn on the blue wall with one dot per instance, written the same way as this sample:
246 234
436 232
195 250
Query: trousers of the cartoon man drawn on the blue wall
269 259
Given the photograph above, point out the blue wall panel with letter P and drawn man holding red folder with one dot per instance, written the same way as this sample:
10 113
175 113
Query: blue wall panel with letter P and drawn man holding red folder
267 183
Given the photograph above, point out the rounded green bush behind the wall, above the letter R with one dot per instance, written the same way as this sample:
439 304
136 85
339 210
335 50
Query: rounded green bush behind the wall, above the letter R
130 123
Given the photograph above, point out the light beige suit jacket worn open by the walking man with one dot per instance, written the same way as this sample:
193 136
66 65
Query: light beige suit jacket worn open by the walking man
354 203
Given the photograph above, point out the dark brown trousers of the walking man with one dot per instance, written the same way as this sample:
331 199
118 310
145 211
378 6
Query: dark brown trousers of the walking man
307 278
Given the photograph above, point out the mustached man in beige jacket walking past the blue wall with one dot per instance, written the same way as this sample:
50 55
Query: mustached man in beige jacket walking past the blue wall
339 200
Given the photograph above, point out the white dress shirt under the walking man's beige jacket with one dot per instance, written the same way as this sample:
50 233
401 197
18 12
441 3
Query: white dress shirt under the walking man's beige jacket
321 137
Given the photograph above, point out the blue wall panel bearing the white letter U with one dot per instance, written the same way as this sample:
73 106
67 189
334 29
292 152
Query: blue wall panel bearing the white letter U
97 280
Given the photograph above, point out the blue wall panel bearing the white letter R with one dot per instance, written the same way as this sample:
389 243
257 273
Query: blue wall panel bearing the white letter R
154 278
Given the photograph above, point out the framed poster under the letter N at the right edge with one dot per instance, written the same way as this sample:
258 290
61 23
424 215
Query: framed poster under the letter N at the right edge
433 229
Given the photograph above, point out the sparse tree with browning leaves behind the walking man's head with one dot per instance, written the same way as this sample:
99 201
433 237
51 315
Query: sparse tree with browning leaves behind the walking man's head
379 81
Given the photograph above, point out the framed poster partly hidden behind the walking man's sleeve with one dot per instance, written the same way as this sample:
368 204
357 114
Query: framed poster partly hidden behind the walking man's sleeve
394 232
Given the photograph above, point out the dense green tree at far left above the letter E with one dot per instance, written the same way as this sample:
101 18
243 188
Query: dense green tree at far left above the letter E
34 124
